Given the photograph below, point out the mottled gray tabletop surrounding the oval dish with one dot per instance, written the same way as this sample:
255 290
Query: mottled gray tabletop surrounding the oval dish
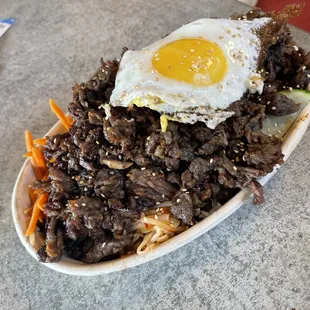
259 258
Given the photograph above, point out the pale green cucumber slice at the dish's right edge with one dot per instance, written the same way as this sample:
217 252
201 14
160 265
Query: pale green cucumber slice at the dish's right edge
279 125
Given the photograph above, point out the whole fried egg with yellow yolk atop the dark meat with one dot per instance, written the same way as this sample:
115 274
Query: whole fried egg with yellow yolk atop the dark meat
194 73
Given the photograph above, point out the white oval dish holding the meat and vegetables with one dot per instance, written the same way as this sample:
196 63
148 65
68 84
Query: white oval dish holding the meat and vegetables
21 201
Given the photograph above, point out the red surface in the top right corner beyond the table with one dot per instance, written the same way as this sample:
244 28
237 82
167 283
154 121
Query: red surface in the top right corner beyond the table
302 21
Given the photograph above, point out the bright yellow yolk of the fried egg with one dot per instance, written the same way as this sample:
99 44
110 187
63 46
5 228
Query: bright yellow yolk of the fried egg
194 61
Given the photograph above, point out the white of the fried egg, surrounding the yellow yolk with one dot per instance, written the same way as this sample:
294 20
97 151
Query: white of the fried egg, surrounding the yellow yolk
138 83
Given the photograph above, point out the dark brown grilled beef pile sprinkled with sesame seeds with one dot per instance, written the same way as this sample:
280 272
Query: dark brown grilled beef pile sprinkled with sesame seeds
115 163
